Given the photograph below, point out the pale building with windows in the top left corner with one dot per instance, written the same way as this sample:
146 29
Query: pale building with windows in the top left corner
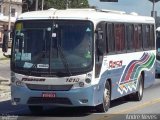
15 7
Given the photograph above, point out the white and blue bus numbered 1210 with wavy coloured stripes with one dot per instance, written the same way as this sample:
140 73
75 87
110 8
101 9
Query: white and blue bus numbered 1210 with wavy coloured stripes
81 57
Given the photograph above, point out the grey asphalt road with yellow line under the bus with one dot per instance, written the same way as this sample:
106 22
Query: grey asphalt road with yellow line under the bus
121 109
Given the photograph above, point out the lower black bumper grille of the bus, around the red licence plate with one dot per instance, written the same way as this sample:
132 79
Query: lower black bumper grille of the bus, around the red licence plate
40 100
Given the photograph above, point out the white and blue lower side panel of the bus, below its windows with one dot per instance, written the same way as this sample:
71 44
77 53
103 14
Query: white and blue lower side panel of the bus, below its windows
124 70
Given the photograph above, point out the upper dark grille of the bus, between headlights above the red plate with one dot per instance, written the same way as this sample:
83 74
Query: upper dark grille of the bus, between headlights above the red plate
49 87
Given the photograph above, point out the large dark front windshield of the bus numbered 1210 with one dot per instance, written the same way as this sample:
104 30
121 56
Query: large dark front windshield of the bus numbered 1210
53 48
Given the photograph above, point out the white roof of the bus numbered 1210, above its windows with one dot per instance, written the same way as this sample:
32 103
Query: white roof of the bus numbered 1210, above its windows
86 14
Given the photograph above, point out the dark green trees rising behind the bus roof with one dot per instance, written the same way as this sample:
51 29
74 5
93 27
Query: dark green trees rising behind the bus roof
29 5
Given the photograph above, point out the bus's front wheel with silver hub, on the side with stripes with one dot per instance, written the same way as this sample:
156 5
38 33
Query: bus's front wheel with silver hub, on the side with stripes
106 99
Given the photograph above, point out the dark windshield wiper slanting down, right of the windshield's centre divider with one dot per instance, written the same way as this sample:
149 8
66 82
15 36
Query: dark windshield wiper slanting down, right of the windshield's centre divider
64 60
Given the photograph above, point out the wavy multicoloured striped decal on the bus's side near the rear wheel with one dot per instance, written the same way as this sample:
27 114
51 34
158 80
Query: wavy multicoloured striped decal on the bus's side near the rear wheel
129 77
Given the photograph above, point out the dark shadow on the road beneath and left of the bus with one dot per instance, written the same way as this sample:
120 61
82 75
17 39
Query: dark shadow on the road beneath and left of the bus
7 109
